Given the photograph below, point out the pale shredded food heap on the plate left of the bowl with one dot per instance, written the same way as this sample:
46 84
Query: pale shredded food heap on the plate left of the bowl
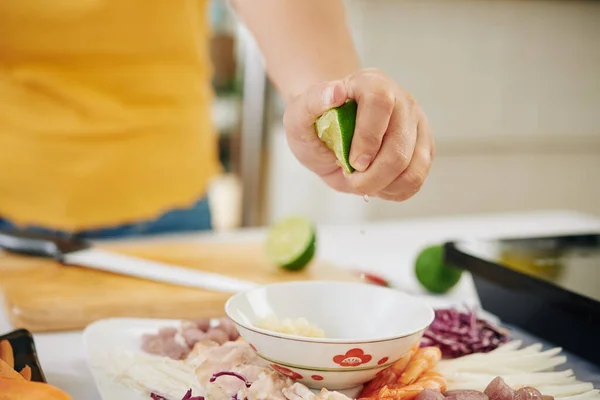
217 372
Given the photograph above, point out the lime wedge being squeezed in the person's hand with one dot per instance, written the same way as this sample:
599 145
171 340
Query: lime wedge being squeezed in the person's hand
336 129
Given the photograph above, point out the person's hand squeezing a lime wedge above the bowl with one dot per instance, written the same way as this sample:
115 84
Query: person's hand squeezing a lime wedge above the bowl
392 148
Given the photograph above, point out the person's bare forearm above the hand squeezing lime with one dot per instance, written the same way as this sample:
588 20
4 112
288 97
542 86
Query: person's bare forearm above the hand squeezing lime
303 41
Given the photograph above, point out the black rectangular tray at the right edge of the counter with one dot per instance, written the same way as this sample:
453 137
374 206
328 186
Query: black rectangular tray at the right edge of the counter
548 286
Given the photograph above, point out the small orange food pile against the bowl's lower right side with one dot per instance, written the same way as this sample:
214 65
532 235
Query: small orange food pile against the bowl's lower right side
407 378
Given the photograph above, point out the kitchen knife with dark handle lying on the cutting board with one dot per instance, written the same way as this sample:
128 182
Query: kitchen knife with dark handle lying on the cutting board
73 251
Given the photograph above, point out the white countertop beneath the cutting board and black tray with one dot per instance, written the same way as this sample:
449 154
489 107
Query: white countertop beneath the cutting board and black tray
385 248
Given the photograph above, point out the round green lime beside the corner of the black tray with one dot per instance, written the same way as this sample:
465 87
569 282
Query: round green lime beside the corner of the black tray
435 275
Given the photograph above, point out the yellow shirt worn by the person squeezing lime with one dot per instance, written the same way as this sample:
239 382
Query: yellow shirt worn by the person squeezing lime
105 111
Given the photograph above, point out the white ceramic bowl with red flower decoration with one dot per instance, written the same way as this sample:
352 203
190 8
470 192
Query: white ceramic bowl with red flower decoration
367 328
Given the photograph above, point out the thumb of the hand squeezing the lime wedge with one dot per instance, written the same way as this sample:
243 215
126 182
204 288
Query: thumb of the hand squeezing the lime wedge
314 102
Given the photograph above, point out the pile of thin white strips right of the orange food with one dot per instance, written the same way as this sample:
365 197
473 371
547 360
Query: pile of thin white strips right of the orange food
507 369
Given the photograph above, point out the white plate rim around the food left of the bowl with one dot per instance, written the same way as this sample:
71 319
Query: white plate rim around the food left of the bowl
120 334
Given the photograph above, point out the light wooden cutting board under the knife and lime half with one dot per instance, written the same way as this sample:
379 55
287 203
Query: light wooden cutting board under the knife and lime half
77 309
